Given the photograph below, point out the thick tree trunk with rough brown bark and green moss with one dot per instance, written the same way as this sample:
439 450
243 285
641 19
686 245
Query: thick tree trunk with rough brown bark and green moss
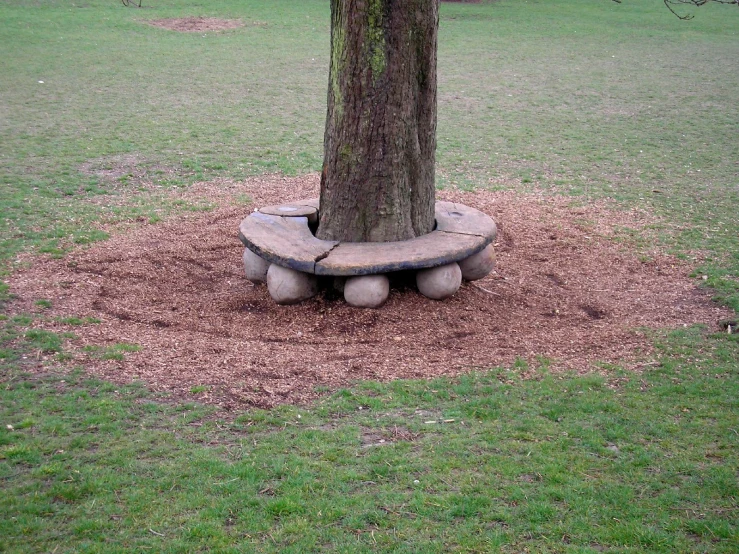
377 183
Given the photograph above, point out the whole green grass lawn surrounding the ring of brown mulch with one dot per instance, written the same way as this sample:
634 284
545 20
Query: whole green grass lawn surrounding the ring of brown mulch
102 114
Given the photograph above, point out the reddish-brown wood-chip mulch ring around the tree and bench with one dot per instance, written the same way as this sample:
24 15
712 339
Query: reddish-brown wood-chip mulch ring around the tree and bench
562 290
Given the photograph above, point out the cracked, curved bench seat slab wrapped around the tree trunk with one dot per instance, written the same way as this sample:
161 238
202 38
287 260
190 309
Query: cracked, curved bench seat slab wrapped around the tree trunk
282 235
